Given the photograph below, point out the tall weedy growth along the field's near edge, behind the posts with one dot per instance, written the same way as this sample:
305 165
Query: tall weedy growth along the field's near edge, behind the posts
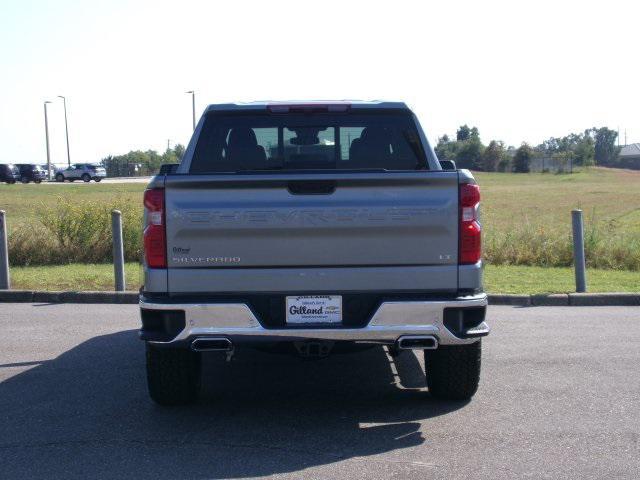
72 233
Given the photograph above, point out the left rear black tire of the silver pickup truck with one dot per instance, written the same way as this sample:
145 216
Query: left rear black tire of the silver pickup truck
173 375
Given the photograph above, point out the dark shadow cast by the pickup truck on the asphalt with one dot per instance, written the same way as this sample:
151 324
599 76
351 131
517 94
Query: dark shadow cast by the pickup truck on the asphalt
86 413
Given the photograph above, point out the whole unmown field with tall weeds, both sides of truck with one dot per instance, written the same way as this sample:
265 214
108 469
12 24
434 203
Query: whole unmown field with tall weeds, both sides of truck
526 219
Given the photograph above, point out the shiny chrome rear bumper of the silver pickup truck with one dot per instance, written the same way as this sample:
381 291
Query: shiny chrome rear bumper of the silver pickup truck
391 321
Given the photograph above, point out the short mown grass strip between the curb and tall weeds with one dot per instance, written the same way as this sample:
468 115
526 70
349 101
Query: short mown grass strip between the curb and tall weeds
498 279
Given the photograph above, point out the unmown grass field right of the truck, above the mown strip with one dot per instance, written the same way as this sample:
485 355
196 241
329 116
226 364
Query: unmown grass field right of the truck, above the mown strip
527 217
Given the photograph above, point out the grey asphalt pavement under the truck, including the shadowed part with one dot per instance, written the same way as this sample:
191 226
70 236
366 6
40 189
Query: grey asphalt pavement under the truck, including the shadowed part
559 398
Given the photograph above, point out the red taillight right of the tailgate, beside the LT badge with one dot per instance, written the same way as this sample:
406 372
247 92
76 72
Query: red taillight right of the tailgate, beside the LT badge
470 229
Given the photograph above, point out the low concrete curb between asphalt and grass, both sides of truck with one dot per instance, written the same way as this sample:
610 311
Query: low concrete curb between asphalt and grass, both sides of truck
131 298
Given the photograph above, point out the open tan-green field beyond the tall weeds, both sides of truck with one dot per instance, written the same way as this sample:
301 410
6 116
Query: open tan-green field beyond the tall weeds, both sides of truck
608 196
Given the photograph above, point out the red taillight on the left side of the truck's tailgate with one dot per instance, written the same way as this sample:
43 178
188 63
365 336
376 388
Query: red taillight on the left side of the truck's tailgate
155 242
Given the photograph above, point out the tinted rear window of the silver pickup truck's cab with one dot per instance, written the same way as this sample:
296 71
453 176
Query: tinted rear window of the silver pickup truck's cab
299 141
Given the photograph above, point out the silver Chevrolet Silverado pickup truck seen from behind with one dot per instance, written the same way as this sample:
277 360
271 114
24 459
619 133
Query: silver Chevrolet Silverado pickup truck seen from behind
314 227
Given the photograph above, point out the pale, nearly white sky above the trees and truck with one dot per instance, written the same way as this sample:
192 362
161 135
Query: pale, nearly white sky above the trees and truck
517 70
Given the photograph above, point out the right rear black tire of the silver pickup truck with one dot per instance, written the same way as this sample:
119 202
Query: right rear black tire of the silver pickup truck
453 371
